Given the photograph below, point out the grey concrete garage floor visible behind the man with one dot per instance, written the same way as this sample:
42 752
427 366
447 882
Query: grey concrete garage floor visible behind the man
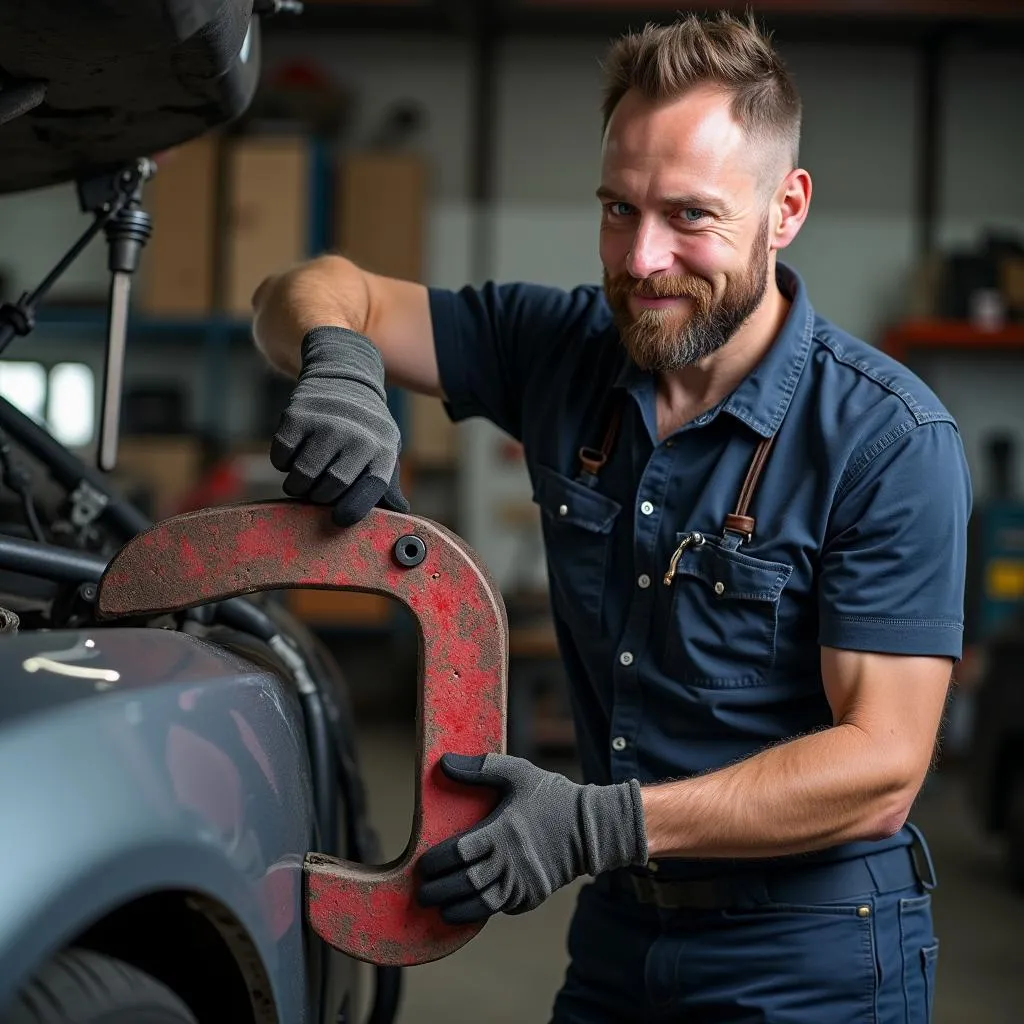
510 972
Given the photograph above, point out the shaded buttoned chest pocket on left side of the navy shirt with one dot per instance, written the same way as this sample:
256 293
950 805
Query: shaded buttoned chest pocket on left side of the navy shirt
577 524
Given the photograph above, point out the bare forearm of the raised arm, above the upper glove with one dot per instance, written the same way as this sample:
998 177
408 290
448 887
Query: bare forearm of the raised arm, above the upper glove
330 291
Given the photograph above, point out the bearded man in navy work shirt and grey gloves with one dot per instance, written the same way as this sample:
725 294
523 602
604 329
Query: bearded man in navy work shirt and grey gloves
755 530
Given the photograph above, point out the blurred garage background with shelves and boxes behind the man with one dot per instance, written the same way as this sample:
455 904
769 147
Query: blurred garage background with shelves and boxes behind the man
453 143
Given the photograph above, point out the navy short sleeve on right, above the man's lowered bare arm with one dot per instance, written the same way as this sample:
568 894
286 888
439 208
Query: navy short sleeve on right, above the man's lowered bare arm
894 564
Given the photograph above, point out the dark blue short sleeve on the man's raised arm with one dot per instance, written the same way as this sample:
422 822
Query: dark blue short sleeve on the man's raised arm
497 342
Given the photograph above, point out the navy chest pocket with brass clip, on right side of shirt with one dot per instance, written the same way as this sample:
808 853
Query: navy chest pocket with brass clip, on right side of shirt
724 616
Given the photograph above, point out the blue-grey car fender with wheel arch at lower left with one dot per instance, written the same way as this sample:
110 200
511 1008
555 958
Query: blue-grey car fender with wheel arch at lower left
136 761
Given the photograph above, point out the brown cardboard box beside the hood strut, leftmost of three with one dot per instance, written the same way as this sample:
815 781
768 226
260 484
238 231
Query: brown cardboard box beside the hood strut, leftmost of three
177 270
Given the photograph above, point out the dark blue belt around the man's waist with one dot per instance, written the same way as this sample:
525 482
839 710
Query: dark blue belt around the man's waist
808 884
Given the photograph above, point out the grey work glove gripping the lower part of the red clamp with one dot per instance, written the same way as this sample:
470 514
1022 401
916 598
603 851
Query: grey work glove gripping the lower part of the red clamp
545 832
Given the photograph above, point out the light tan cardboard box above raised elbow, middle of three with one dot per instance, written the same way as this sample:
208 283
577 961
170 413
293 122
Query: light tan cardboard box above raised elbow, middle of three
268 214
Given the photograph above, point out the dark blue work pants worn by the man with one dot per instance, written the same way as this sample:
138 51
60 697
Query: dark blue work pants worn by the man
870 960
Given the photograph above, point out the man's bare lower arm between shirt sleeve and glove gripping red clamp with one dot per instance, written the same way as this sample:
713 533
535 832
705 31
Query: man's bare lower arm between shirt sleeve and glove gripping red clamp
856 781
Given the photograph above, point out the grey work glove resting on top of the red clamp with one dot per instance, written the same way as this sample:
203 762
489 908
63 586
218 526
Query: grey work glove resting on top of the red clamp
337 440
